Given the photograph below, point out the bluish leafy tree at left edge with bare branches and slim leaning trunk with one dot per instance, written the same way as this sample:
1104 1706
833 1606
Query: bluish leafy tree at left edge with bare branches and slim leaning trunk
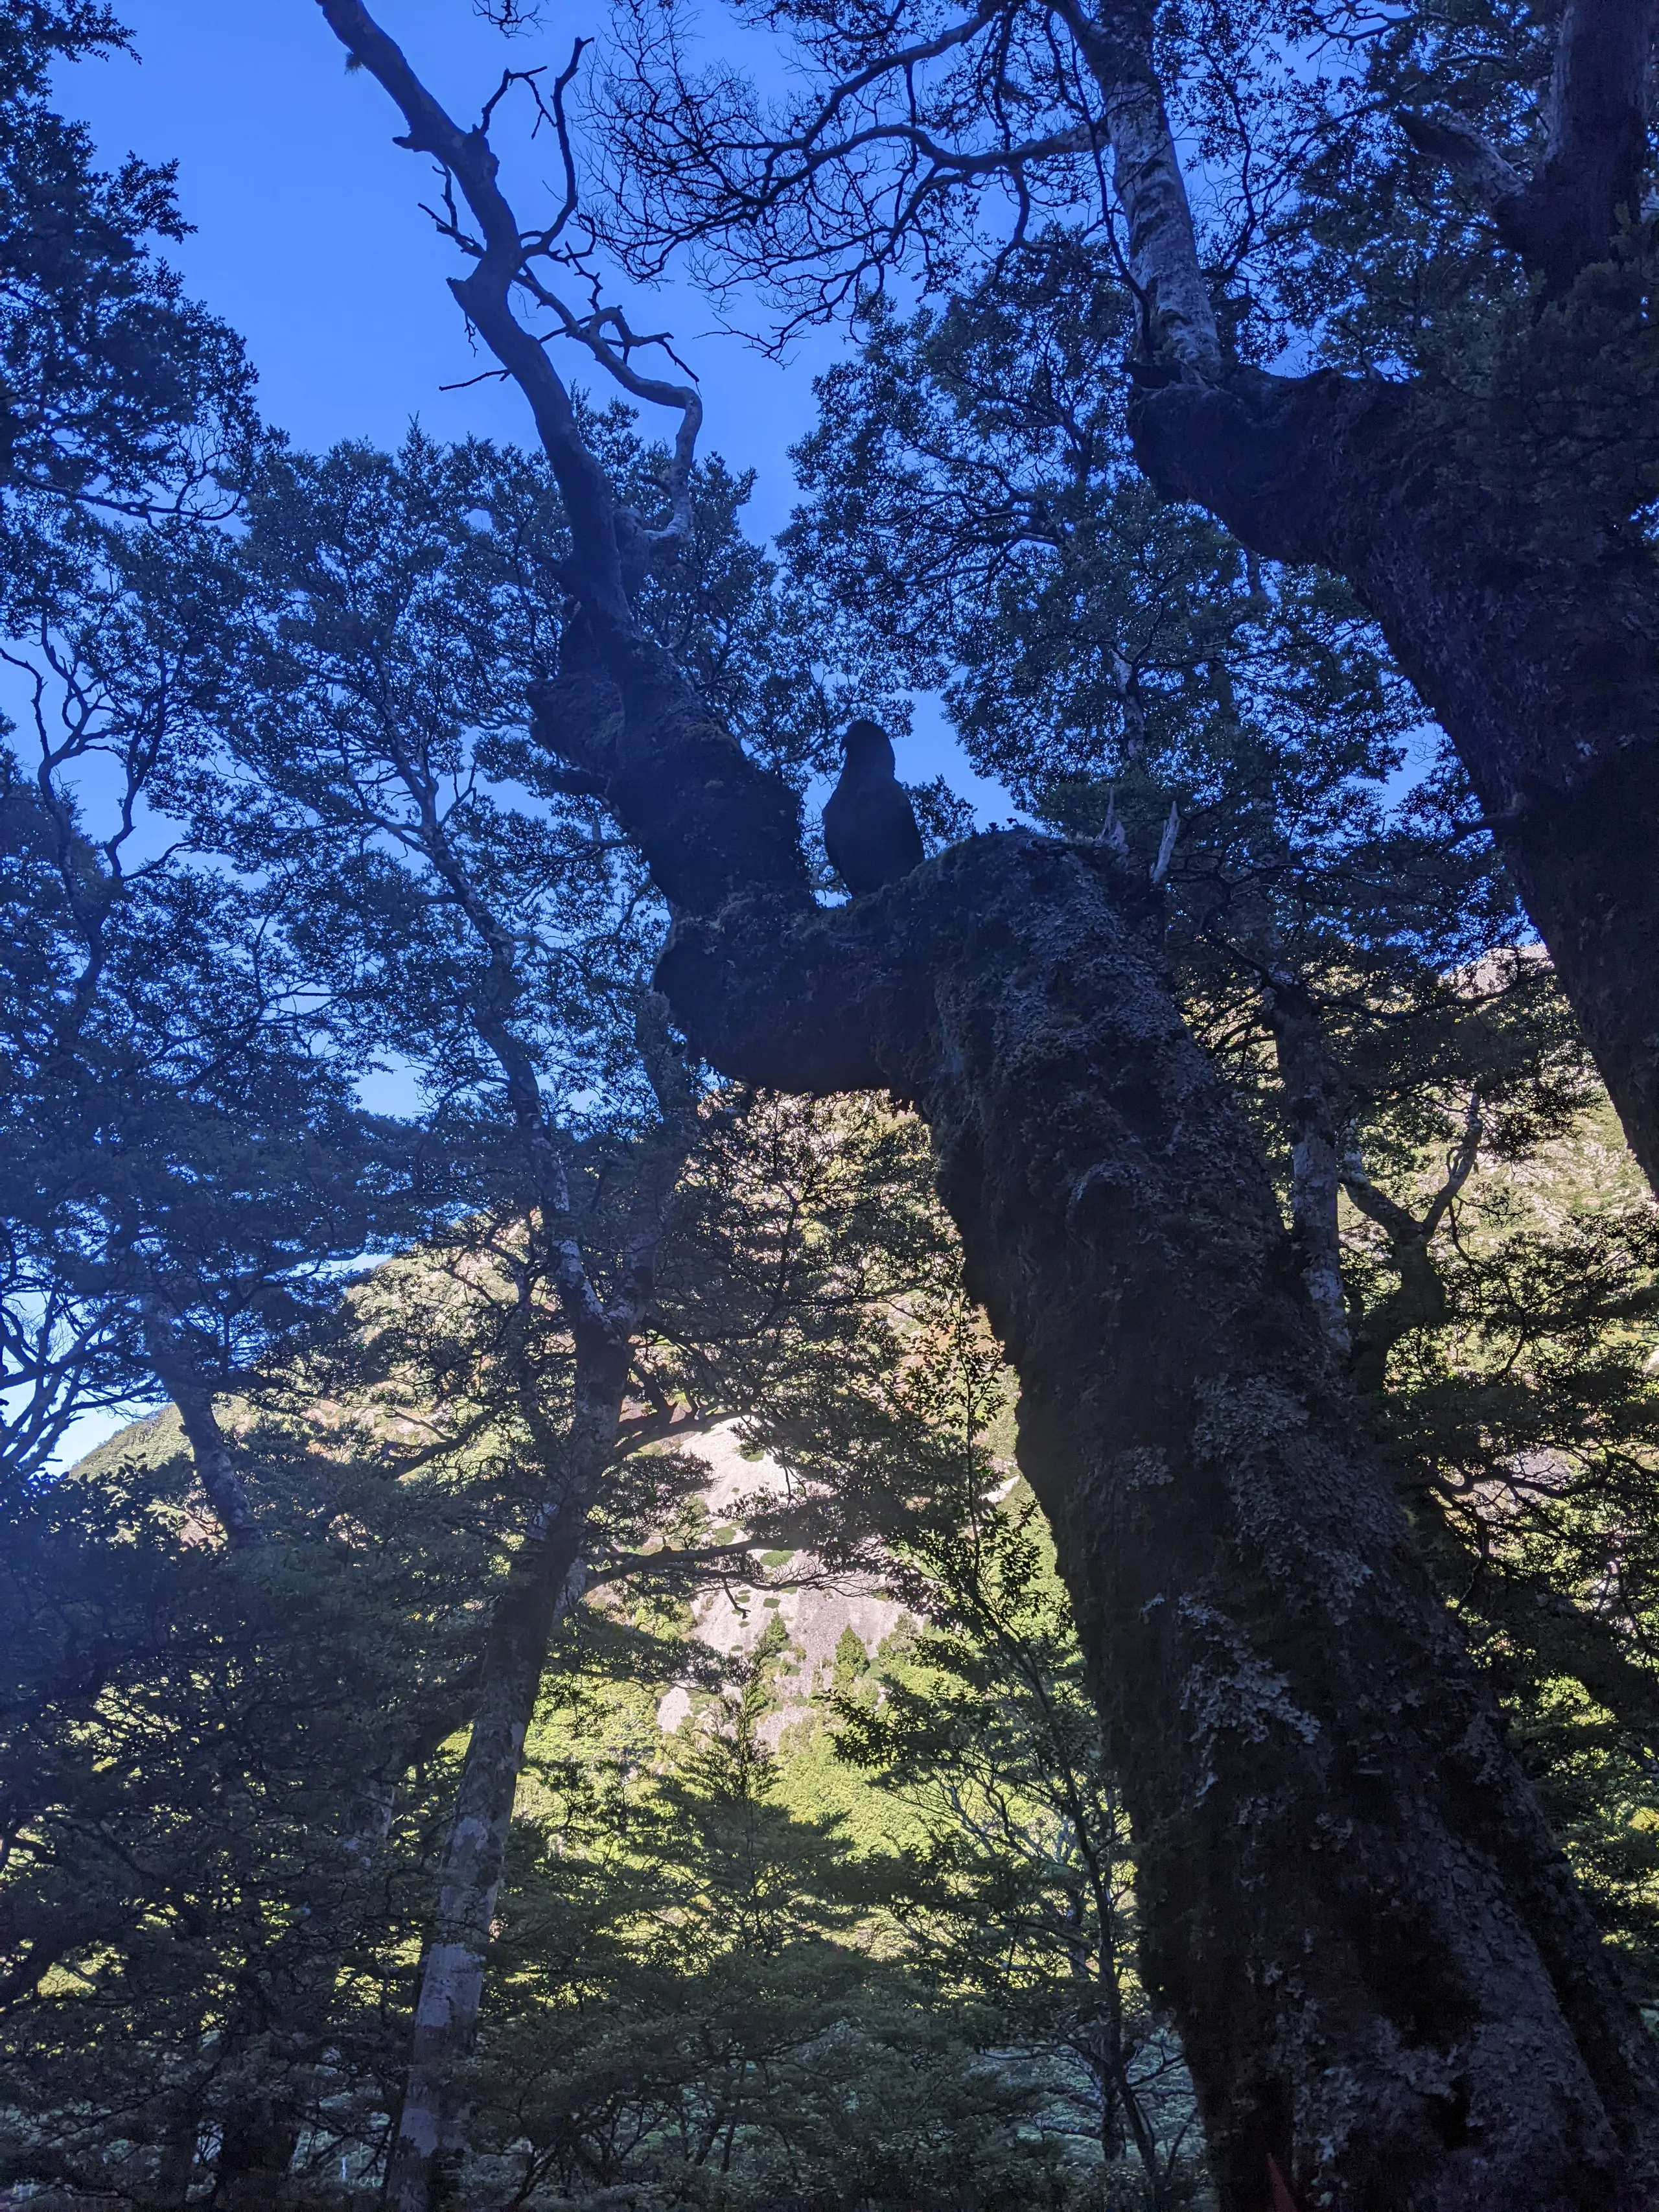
187 1171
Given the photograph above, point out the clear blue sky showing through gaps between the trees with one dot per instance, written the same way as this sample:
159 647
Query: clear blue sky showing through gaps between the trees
311 242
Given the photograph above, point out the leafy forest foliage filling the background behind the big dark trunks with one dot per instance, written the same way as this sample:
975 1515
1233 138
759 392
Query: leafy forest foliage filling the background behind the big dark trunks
778 1926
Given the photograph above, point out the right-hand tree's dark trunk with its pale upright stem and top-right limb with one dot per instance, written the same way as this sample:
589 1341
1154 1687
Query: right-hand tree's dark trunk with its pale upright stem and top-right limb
1541 662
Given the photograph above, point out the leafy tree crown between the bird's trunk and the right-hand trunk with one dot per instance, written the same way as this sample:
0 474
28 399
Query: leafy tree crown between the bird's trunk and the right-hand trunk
1335 921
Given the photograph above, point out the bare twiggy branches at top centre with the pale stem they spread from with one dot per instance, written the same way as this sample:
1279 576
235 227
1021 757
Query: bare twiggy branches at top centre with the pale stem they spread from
893 154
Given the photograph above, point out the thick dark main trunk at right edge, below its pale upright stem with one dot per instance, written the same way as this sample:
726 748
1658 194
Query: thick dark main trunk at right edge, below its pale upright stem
1543 667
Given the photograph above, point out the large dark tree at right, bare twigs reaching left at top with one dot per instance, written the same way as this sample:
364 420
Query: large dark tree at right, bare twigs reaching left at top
1439 216
